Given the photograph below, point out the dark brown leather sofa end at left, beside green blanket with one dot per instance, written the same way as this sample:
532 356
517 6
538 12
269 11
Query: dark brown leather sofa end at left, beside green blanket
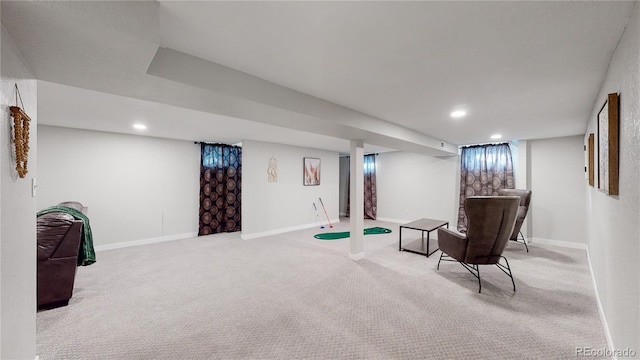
59 236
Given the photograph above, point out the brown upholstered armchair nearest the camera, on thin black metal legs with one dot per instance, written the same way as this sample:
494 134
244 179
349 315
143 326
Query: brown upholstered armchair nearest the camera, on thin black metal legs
490 221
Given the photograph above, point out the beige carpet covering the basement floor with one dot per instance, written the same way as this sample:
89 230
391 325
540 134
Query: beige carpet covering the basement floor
291 296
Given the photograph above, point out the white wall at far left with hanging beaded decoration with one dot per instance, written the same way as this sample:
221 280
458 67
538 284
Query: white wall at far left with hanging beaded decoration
17 214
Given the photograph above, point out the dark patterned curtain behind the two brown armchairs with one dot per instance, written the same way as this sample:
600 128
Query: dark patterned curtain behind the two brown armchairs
484 169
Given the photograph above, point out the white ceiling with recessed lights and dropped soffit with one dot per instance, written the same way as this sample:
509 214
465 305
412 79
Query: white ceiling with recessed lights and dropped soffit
393 71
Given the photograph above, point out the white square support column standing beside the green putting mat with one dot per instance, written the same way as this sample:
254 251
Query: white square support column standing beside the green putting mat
356 217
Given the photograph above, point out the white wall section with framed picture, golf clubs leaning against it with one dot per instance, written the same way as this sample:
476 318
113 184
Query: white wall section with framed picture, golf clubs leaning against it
269 208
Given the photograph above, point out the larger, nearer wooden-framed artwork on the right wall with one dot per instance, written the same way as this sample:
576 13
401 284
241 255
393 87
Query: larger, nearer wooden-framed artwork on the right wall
608 127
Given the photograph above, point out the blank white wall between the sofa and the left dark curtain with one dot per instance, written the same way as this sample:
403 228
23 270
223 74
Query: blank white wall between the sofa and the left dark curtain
137 188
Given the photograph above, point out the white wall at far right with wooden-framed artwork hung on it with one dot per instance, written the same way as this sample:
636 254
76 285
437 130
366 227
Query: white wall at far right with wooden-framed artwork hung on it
614 232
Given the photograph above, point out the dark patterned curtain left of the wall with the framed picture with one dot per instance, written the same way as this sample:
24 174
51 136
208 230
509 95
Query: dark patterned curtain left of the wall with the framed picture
220 188
